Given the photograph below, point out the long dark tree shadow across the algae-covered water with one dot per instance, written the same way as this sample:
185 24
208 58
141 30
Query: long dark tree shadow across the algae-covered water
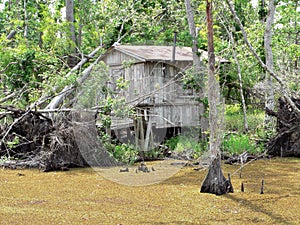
259 209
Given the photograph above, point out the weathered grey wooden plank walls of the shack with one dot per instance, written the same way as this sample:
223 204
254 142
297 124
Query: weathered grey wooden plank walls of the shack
153 87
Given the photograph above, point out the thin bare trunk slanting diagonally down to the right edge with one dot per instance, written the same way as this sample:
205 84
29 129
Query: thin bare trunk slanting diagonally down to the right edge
284 89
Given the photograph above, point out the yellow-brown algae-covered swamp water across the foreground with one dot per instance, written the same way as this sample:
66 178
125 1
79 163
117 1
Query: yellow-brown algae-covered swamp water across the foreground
82 196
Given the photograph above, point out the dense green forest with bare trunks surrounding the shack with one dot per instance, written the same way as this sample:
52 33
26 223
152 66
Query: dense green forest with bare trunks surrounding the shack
48 49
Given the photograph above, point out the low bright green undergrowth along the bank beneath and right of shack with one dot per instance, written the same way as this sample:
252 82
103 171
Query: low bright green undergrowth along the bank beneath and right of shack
234 142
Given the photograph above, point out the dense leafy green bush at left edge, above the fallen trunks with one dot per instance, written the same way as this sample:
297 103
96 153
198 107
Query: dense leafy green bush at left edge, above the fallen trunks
30 71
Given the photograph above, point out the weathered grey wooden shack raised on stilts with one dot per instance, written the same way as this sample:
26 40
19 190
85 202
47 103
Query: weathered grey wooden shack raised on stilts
155 86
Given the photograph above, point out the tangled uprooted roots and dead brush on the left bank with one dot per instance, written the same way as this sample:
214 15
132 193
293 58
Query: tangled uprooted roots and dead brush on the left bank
29 139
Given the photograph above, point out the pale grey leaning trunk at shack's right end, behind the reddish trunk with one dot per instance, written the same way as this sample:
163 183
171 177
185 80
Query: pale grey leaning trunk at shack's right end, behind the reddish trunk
197 66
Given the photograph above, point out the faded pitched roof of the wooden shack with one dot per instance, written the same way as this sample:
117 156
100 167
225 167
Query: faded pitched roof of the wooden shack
160 53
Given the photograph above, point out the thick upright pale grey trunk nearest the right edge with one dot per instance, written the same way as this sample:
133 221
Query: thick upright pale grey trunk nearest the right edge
269 94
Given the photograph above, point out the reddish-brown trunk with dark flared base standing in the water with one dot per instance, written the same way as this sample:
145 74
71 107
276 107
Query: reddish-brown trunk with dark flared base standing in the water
215 181
